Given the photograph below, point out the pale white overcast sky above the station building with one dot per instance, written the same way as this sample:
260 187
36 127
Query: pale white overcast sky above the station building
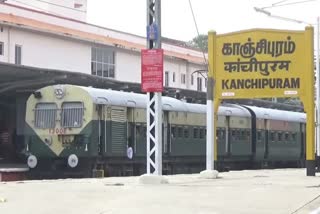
222 16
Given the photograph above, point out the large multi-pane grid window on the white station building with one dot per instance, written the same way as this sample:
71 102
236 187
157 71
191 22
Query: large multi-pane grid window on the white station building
103 62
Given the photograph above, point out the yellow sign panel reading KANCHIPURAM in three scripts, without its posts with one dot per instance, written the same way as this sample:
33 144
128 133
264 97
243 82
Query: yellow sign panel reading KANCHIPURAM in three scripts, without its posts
260 63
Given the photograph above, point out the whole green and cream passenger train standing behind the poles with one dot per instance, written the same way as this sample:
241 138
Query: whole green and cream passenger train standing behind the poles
75 131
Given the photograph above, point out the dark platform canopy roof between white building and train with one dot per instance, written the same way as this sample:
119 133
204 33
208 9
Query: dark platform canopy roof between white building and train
16 79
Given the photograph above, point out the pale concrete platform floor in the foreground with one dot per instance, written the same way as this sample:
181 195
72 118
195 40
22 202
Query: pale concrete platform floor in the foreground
259 191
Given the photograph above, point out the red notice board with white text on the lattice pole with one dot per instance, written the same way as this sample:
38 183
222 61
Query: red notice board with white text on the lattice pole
152 70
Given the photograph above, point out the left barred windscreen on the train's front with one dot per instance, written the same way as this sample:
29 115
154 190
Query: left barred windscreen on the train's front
45 115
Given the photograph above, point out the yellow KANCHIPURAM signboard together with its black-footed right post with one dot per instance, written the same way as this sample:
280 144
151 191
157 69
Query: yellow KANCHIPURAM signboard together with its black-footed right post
263 63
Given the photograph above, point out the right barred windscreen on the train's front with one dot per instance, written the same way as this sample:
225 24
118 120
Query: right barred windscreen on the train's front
72 114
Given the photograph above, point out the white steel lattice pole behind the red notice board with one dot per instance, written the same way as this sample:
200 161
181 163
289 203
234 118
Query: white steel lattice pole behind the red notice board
154 105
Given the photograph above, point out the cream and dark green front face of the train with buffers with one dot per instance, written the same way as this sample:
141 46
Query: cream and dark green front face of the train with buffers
58 126
